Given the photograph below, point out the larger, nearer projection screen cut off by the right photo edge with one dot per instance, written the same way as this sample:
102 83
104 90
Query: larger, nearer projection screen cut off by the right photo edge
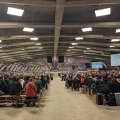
115 60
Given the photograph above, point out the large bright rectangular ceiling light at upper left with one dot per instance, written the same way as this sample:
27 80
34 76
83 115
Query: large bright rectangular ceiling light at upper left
15 11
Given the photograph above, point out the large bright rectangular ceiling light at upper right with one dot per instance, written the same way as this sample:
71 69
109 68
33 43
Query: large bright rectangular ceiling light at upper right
103 12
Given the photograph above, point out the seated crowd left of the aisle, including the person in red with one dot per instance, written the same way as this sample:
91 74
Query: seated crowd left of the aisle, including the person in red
24 84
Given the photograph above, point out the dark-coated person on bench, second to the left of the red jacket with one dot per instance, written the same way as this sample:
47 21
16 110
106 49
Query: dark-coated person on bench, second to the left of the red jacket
14 86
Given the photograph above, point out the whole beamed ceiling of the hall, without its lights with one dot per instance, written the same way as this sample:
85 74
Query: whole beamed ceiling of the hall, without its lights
57 23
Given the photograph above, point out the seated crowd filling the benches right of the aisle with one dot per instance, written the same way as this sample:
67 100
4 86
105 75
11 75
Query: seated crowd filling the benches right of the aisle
104 82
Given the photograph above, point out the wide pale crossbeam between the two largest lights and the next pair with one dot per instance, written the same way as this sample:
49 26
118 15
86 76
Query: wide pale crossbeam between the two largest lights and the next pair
51 25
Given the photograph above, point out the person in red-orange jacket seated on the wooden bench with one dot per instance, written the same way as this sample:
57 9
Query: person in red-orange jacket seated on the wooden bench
30 91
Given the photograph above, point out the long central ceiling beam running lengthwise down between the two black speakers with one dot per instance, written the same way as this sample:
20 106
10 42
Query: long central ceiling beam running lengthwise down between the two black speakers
60 5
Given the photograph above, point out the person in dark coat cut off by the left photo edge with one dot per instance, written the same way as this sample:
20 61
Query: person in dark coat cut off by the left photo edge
4 85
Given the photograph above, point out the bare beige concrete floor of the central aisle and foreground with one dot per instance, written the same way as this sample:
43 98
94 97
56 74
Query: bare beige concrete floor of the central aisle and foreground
60 103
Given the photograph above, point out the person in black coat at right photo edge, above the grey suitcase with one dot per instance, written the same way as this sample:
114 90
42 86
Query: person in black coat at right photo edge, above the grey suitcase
114 86
